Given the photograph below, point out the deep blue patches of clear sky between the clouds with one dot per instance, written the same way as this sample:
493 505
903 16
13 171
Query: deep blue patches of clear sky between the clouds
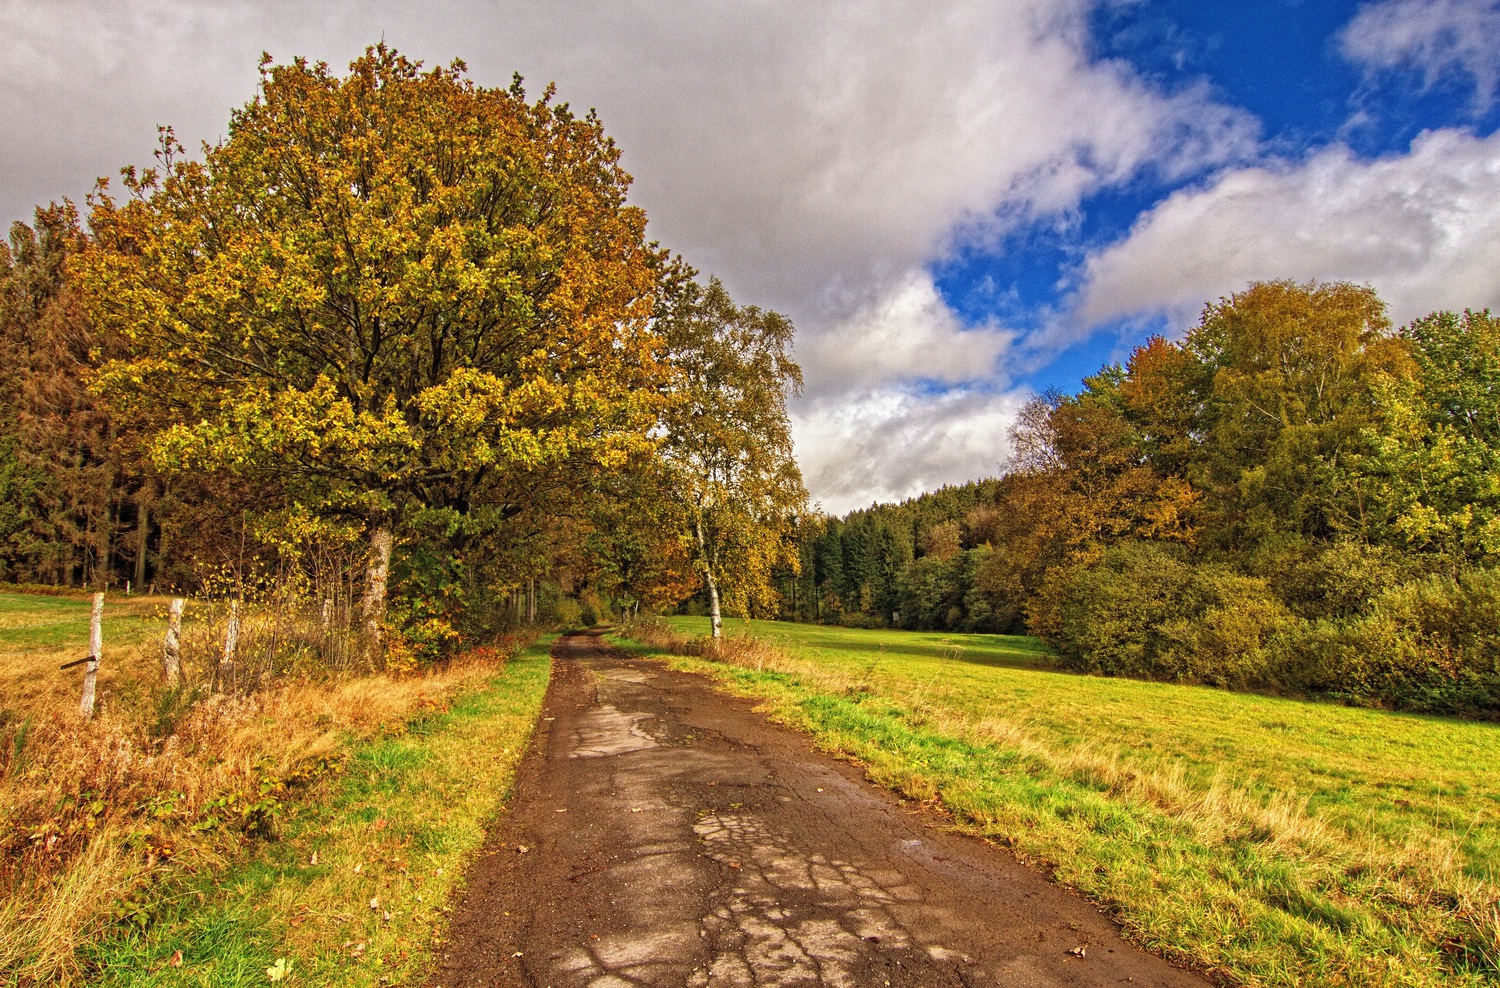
1283 62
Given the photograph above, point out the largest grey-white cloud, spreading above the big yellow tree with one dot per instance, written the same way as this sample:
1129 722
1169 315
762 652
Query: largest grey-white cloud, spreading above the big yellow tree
814 155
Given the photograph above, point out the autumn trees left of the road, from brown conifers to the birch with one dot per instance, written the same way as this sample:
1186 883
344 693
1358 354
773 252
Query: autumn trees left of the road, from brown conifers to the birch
397 335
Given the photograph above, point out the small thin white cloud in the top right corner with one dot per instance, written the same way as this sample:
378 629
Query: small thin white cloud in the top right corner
1432 37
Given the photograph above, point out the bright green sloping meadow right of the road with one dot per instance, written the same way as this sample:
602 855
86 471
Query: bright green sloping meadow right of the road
1267 842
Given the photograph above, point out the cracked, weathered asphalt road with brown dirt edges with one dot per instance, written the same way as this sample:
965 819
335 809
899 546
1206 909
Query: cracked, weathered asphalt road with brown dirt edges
667 834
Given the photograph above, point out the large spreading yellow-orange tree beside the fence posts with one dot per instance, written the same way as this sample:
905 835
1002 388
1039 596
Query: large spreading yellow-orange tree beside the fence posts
385 290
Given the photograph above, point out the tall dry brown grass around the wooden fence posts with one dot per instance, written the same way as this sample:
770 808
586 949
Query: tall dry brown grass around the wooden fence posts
94 815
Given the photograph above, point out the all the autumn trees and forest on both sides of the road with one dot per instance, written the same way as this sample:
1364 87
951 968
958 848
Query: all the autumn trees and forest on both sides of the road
356 347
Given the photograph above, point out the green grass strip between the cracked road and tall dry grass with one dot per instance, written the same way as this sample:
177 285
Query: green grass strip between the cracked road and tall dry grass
355 890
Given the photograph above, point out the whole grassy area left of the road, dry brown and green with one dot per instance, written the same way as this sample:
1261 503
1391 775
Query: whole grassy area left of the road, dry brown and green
196 837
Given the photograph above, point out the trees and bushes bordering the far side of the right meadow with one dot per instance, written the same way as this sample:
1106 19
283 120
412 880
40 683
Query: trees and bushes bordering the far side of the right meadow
1297 497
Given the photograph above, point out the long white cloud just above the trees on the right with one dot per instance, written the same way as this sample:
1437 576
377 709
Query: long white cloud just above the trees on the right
1423 229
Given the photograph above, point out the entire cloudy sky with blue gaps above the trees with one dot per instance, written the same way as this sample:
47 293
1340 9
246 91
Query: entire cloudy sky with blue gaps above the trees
958 203
